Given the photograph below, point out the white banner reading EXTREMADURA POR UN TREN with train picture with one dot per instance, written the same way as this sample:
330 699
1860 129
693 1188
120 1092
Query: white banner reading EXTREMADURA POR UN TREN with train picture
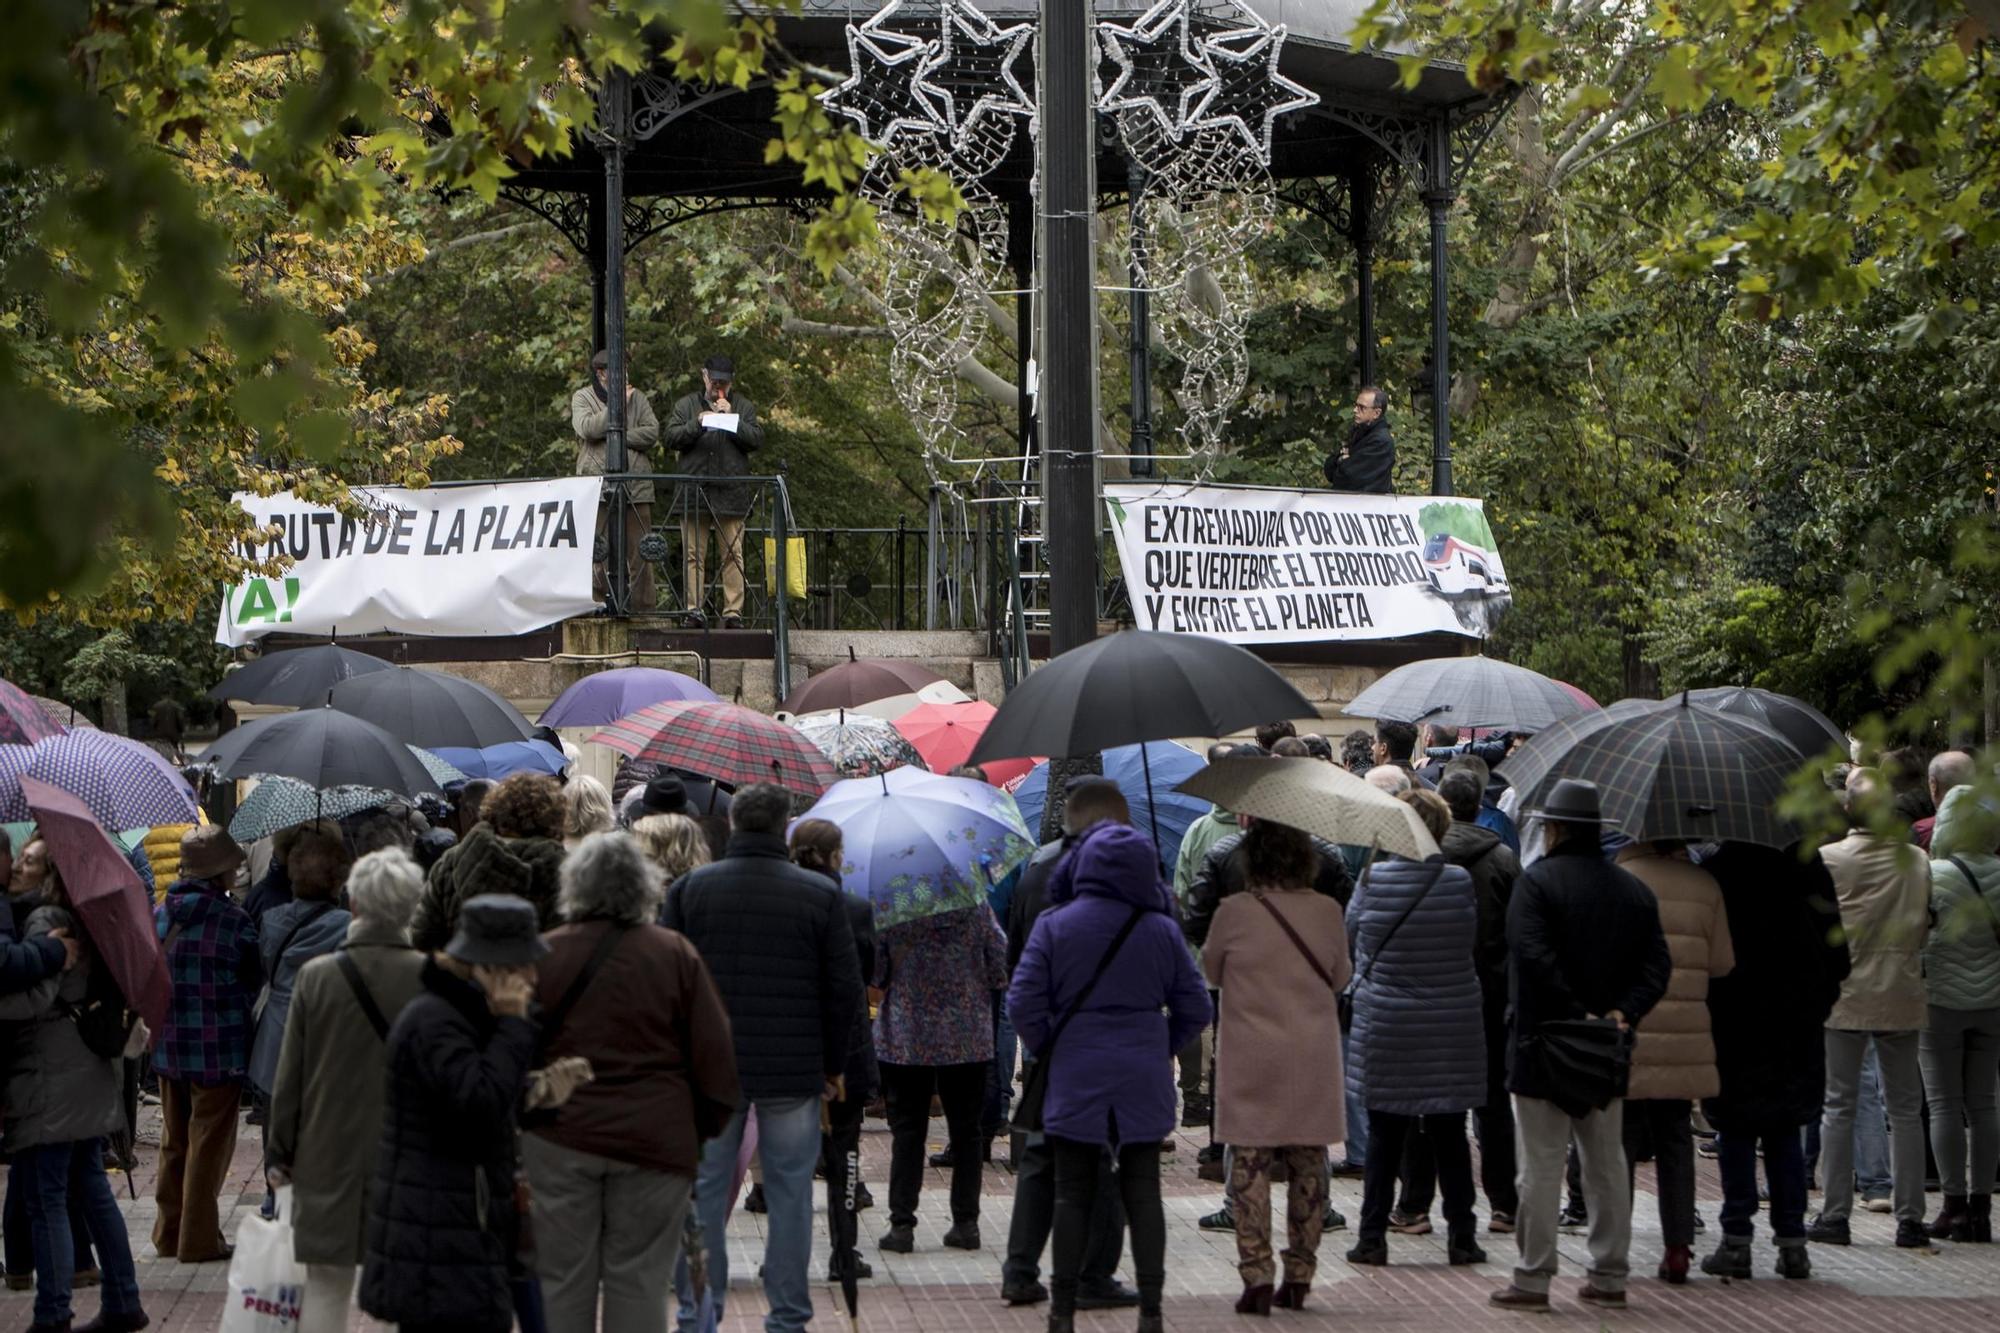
1305 565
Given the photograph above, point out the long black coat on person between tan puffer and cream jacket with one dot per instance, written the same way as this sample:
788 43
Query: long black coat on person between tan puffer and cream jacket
1771 1012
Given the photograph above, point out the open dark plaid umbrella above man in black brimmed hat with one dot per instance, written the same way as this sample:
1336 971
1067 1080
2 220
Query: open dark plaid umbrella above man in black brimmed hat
1667 772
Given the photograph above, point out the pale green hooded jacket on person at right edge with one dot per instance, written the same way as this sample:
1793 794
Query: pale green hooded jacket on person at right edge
1963 950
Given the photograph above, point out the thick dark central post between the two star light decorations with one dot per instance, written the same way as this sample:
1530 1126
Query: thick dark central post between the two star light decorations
1069 399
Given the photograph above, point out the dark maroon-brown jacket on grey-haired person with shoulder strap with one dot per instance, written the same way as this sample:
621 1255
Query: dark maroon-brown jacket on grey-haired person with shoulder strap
657 1038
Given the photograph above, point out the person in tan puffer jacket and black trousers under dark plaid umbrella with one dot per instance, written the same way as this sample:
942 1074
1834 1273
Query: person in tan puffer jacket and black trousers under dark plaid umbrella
1675 1060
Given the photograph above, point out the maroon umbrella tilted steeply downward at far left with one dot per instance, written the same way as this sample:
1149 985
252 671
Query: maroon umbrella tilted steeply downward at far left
109 898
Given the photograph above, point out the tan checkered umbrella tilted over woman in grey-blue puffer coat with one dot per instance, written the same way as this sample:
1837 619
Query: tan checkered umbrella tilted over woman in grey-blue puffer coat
1319 798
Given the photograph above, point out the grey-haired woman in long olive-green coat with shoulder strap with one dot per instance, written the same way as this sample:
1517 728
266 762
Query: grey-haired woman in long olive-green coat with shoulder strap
327 1102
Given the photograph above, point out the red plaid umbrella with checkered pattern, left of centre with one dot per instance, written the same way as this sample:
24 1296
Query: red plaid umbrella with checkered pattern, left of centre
723 742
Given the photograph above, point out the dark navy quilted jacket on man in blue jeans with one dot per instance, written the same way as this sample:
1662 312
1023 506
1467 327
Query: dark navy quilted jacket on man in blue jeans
781 948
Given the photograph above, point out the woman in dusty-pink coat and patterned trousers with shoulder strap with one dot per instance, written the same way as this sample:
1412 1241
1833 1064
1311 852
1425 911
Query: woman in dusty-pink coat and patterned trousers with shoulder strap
1279 954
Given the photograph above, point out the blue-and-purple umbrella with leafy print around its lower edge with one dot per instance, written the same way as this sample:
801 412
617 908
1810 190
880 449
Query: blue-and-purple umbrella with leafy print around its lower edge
923 846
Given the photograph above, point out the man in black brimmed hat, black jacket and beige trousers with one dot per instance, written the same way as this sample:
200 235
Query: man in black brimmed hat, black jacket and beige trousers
1585 942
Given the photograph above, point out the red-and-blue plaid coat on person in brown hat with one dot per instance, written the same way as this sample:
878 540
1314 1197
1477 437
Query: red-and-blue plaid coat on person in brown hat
215 968
